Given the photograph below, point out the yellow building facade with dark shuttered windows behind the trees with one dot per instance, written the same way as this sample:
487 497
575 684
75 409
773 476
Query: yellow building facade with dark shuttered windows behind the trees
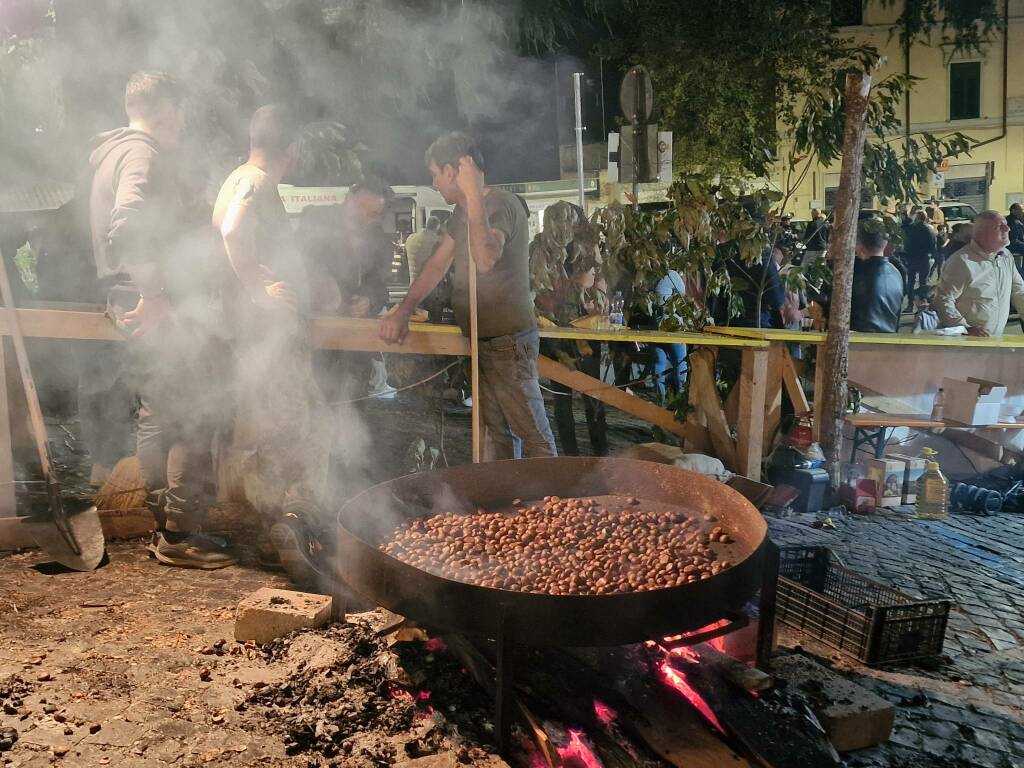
978 95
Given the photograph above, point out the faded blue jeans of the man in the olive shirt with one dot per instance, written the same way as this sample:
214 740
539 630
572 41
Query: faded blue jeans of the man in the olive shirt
516 424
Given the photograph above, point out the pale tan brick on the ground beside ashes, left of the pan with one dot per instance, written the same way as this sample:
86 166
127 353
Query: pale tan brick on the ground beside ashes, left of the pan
269 614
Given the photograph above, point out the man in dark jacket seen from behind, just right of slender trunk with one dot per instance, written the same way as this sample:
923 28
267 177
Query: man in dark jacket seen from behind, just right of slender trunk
878 287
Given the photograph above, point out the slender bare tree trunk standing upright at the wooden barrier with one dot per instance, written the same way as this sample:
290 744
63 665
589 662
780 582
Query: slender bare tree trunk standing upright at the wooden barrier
834 356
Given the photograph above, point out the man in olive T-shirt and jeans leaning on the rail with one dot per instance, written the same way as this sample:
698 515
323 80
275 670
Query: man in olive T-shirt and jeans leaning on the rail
494 226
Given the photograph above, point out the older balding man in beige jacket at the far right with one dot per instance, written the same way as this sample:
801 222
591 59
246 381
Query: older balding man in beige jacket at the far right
980 281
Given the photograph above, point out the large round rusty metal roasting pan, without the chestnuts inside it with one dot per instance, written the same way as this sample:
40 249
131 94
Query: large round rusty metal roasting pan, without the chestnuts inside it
443 605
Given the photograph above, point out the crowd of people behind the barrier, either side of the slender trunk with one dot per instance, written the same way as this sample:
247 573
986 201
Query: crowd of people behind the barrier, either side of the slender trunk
976 267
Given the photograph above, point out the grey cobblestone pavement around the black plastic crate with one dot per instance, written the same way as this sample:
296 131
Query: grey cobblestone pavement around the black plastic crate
968 710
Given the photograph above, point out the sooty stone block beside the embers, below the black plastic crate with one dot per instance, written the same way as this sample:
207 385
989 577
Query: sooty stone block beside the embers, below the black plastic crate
854 717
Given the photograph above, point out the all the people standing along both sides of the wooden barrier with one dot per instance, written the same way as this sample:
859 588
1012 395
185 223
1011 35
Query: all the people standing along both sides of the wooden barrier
235 339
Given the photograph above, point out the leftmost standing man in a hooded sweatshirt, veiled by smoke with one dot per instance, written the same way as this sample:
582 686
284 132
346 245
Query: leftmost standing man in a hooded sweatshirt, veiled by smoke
147 258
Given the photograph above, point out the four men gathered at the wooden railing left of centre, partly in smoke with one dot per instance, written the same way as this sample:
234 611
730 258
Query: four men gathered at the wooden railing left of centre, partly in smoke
217 304
